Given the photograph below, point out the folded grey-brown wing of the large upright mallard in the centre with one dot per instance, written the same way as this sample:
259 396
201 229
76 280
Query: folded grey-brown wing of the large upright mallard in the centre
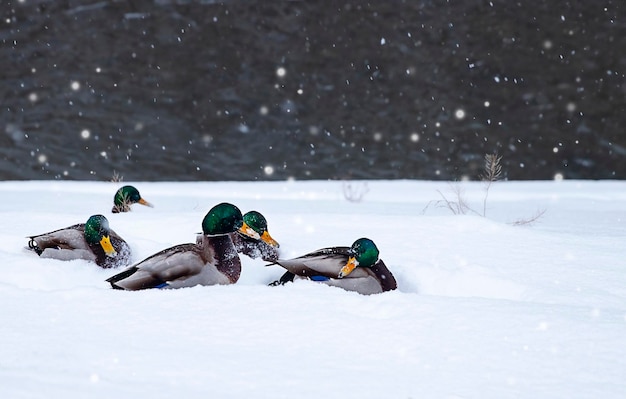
165 268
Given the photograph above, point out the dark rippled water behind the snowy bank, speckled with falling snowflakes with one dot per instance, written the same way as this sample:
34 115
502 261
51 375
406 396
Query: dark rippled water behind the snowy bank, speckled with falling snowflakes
247 90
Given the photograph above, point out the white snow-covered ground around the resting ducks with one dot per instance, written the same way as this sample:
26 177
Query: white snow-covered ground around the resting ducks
484 309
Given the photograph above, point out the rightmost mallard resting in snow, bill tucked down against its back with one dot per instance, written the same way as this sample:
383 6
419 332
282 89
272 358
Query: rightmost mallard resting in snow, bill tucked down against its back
356 268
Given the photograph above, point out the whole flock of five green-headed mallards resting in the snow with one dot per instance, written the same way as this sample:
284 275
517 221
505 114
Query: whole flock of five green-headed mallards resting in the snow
214 257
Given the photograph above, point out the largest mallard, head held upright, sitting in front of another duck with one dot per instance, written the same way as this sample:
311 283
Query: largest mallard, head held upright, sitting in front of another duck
212 260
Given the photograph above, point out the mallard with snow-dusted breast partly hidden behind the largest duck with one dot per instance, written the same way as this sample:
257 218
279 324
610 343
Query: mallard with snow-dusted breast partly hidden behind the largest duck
265 248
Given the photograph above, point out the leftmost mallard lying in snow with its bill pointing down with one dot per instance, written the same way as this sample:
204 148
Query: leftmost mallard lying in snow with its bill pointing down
93 241
